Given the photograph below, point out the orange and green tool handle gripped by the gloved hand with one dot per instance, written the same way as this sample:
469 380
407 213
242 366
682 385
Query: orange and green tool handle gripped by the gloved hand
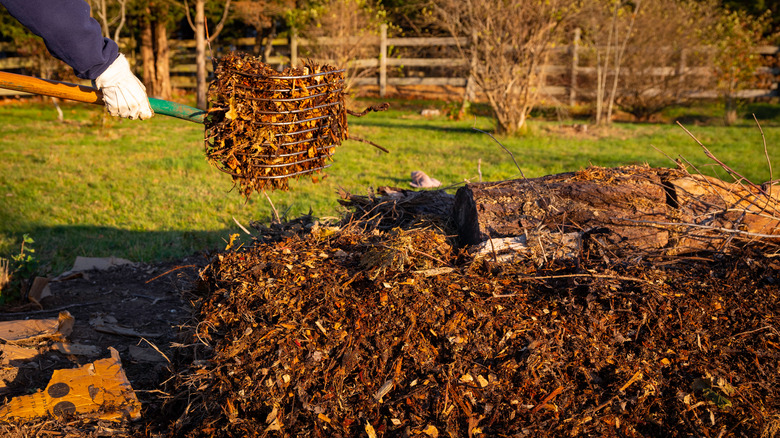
83 93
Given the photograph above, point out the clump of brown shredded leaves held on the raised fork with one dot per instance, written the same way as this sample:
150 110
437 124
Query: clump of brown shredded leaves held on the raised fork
265 127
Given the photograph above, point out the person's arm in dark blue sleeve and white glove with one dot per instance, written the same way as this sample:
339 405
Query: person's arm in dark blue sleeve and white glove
73 36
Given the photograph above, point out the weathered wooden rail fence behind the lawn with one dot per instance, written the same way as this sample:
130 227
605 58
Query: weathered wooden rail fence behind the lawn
567 74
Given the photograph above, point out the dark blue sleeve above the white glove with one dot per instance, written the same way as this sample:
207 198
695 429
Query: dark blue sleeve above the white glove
68 30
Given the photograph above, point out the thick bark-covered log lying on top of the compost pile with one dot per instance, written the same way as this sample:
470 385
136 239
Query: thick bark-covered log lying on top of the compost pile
632 208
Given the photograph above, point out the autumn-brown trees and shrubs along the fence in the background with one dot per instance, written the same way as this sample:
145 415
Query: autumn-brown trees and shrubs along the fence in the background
505 42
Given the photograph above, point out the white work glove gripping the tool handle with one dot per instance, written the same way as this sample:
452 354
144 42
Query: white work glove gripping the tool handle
123 94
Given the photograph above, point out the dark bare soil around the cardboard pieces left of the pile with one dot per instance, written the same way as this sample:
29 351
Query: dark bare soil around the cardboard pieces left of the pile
148 298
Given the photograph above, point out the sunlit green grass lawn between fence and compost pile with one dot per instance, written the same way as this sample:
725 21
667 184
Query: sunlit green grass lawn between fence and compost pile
143 190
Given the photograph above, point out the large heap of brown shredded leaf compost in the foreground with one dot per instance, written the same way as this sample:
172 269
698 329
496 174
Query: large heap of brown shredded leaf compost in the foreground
384 328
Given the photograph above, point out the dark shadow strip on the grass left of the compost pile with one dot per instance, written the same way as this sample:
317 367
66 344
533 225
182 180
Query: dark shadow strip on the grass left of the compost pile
56 247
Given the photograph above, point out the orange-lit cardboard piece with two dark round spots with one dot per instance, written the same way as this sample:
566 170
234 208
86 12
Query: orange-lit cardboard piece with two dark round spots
98 390
